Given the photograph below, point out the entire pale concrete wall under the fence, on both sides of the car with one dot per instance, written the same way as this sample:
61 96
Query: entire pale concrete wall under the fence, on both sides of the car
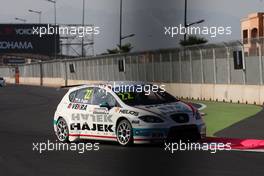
251 94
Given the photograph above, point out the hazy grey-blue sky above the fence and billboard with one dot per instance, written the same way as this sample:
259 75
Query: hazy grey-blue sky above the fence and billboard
145 18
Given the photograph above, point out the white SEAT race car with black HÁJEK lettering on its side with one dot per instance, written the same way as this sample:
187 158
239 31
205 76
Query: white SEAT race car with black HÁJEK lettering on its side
126 112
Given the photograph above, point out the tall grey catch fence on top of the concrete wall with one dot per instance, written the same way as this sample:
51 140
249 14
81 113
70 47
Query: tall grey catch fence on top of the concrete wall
203 64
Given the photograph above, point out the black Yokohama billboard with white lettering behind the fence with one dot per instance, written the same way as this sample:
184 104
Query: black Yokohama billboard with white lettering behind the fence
20 38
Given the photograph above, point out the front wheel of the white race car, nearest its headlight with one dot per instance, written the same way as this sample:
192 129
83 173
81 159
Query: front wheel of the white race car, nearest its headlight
124 133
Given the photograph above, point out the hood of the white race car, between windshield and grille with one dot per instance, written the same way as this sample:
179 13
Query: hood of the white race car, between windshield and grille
167 109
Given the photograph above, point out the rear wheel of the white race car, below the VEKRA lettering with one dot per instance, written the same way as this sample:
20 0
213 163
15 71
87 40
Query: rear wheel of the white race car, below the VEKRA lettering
62 130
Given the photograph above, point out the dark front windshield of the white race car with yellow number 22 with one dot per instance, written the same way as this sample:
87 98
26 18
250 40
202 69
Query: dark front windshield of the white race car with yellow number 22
133 98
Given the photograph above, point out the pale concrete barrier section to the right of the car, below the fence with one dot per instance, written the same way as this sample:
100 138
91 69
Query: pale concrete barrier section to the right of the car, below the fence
251 94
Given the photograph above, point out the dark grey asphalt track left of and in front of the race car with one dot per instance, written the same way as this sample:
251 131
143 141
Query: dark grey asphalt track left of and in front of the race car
26 116
